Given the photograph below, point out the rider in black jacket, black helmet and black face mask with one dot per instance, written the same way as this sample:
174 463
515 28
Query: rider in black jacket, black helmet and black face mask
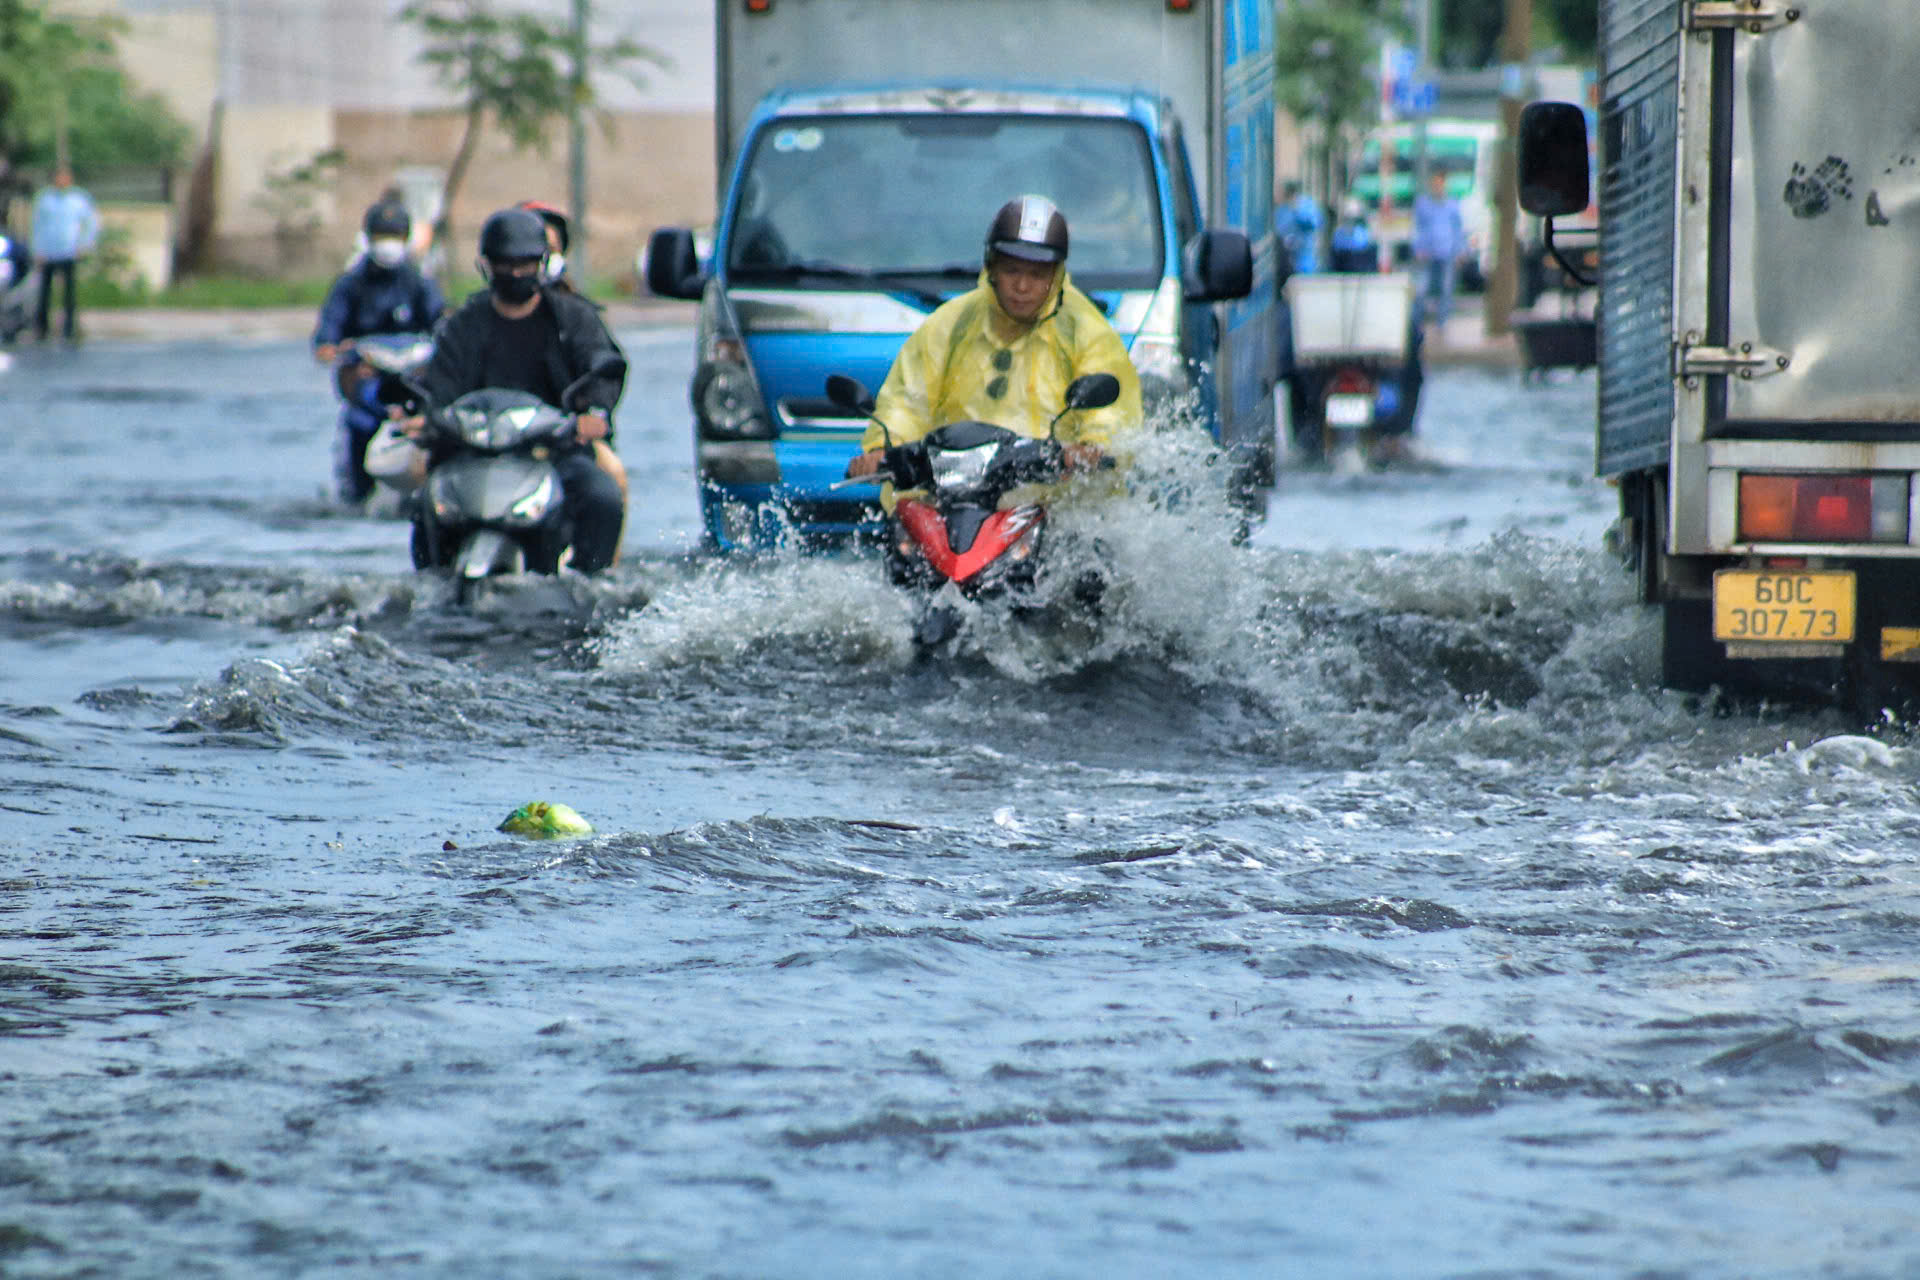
527 337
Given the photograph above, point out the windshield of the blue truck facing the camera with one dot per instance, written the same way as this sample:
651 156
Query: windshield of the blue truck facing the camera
857 199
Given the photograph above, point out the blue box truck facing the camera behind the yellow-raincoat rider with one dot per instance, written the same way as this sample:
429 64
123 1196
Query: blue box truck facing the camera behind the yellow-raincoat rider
863 151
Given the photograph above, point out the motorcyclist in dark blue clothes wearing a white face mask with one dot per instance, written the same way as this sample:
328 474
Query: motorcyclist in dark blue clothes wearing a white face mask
383 293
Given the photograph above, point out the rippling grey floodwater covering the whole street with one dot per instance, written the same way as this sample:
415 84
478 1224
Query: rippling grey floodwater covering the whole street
1349 905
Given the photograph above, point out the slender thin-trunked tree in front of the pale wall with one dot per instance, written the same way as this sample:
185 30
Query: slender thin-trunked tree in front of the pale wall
517 72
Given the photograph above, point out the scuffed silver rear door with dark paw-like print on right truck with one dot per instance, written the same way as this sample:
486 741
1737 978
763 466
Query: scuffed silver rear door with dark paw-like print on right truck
1817 241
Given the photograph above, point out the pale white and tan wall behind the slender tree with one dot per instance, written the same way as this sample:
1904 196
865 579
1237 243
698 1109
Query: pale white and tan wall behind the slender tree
274 85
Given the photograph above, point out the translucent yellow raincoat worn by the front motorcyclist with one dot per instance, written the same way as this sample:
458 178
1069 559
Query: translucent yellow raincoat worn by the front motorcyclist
948 371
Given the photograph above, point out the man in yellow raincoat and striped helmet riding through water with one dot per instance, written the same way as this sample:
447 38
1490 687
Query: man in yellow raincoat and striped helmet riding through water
1007 350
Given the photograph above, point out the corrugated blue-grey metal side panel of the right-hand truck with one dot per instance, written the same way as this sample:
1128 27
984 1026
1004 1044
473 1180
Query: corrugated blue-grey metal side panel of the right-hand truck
1639 122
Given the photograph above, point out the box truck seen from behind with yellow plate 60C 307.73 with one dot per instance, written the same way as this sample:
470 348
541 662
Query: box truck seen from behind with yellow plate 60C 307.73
1760 400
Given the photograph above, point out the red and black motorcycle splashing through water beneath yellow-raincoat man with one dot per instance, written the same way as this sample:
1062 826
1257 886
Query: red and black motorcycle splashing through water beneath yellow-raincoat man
951 536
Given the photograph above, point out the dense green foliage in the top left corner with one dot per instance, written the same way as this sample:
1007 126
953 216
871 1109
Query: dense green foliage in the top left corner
57 76
